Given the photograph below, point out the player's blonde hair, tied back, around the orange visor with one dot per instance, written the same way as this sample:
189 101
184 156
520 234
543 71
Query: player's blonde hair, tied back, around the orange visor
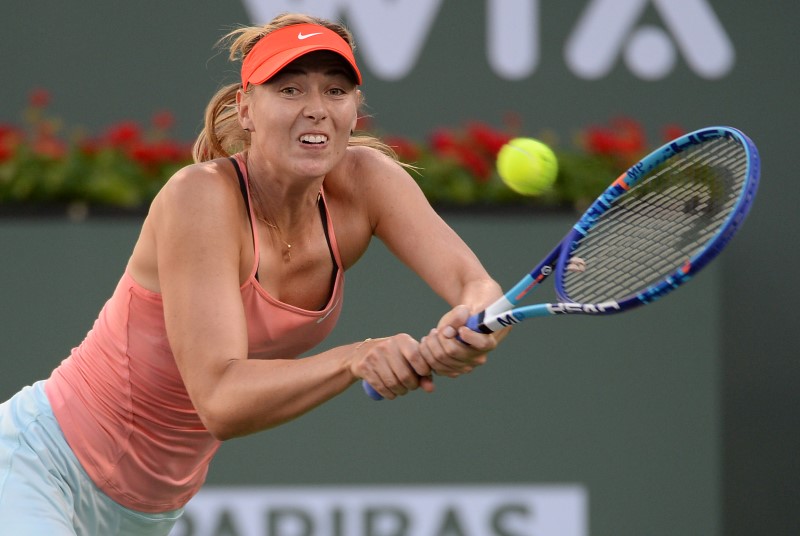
222 135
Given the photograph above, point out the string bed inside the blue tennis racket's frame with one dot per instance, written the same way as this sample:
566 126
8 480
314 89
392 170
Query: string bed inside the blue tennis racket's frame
660 223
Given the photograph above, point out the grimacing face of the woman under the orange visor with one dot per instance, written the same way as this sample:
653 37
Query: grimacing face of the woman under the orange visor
301 119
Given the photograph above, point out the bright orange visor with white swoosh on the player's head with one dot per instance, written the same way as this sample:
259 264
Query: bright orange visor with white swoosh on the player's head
277 49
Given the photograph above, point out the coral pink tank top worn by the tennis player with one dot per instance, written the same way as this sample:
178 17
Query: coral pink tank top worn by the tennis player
123 407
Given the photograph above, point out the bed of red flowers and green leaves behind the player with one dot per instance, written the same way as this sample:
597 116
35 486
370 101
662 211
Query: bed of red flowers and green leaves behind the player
43 162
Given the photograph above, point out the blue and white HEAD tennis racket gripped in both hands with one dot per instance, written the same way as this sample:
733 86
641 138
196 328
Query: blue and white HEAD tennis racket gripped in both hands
648 233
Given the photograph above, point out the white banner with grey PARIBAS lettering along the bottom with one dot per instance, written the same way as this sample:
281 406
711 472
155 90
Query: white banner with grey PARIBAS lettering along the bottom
468 510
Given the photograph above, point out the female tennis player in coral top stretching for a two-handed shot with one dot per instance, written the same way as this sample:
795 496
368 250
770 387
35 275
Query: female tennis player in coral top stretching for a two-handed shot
238 269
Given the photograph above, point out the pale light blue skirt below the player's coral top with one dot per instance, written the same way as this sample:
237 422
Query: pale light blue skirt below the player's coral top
44 489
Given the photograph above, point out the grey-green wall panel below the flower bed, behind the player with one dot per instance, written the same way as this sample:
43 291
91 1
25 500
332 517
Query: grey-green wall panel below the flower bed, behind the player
634 422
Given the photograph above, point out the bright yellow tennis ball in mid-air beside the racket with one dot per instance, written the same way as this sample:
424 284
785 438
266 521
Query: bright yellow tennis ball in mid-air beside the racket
527 166
